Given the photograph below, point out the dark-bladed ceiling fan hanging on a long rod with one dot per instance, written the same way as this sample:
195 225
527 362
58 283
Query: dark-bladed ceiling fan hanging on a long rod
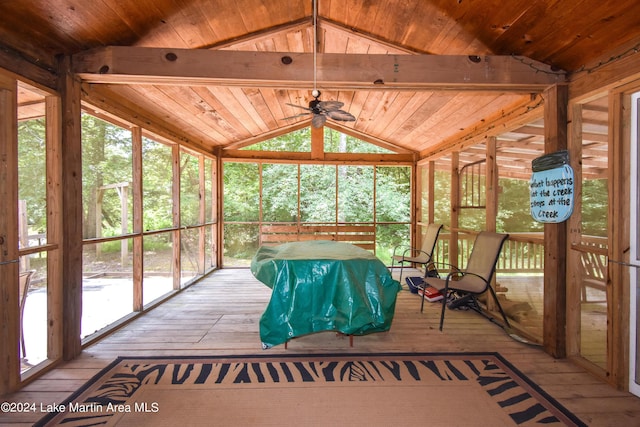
320 110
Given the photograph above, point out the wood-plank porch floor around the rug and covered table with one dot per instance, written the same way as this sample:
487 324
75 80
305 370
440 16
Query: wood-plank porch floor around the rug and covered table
220 315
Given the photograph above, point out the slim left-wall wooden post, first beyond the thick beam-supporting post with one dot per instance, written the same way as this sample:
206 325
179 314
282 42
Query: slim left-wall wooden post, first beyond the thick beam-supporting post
138 248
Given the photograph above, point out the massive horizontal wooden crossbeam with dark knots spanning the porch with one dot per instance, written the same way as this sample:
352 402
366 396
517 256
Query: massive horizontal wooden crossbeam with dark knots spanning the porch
141 65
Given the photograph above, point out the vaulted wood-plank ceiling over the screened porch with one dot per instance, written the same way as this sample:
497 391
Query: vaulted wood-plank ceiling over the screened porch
549 36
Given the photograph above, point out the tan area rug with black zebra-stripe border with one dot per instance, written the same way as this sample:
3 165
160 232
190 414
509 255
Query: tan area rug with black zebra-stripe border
436 389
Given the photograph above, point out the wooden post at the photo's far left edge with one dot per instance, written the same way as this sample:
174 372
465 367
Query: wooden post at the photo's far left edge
9 313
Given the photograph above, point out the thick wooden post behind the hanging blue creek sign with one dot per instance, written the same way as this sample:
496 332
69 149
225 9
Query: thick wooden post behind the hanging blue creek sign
555 235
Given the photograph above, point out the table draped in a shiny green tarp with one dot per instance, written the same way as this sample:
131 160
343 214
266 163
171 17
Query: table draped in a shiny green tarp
323 286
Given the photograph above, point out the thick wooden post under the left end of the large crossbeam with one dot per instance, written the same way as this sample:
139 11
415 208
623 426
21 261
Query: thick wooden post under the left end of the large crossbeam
71 211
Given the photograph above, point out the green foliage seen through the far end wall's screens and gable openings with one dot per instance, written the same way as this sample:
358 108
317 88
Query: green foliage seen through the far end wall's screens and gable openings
311 191
